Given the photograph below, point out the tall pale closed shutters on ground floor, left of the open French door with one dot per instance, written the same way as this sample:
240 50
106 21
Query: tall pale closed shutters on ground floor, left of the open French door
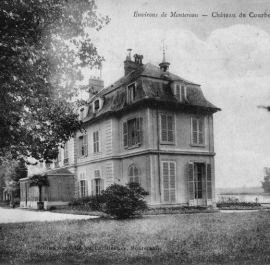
168 181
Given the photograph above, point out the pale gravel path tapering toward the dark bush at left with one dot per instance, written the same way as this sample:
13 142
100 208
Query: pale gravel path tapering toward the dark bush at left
19 216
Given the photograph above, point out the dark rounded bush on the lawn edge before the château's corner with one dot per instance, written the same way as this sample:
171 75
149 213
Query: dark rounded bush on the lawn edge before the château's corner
124 202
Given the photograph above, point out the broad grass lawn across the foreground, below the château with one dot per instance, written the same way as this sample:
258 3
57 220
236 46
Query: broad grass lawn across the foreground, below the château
235 238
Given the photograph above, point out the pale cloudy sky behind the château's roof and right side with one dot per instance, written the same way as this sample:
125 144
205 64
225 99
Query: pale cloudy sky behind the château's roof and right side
228 56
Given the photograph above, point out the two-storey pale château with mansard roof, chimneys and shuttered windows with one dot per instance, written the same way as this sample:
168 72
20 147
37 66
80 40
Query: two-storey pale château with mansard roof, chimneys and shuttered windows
150 126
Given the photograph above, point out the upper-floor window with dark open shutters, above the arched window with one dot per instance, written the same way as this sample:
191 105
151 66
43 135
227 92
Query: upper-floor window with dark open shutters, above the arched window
132 132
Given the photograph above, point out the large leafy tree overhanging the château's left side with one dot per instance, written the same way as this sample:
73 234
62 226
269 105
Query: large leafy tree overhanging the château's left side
43 47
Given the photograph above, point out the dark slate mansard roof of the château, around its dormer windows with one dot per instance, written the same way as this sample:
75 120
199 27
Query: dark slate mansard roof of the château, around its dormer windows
153 86
